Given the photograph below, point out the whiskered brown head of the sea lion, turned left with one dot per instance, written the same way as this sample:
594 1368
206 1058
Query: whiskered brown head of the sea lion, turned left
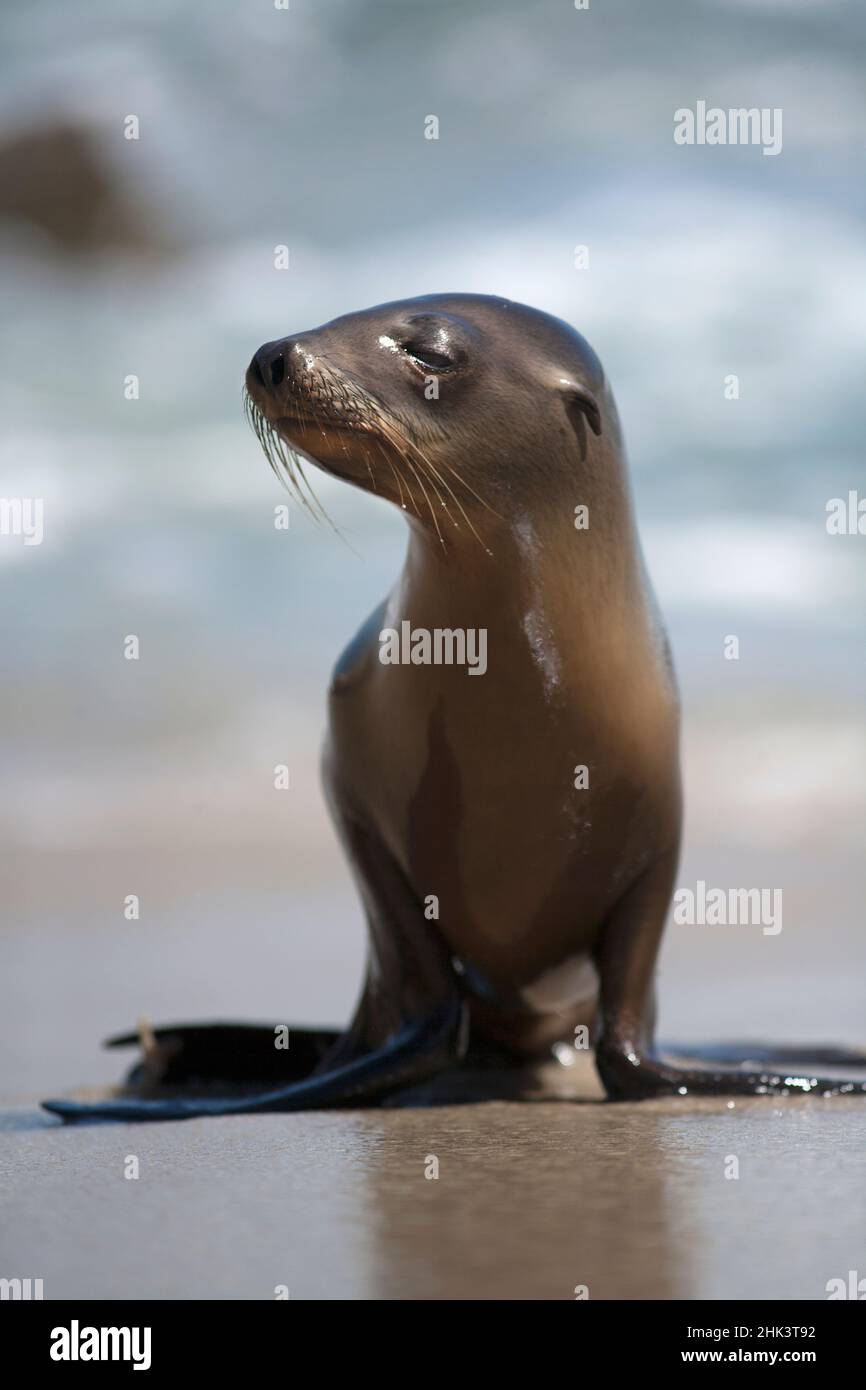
446 405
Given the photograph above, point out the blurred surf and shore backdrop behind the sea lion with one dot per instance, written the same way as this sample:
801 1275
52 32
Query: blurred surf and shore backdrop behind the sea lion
156 258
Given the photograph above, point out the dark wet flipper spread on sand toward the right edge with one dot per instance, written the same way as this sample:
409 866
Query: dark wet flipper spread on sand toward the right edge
633 1075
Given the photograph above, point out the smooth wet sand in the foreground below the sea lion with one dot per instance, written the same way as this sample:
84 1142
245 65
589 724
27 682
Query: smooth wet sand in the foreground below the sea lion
530 1202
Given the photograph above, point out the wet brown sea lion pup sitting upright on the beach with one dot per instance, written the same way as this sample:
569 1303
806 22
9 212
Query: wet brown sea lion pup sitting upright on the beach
509 799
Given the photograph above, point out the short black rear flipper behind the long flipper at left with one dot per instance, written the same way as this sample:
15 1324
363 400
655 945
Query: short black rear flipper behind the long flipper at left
191 1054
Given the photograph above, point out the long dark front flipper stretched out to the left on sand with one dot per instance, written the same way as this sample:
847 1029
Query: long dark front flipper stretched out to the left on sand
416 1053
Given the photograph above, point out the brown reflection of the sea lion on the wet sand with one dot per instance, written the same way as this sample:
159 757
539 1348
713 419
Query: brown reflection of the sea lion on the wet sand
532 1202
